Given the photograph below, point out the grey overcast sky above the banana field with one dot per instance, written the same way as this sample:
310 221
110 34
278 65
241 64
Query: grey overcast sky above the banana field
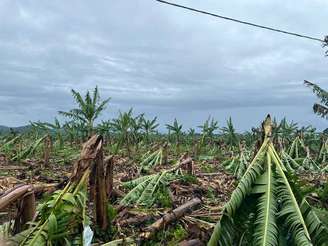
161 60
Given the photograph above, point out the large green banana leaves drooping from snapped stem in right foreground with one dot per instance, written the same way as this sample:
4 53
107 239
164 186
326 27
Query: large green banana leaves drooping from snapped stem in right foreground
264 210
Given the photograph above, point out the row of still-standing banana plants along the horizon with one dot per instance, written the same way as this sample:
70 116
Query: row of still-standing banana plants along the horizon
129 130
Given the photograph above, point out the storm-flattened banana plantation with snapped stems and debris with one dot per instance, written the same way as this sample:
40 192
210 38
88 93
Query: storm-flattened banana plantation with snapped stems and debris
129 181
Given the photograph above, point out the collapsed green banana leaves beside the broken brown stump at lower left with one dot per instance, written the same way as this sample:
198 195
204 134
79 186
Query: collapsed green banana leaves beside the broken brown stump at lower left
61 220
